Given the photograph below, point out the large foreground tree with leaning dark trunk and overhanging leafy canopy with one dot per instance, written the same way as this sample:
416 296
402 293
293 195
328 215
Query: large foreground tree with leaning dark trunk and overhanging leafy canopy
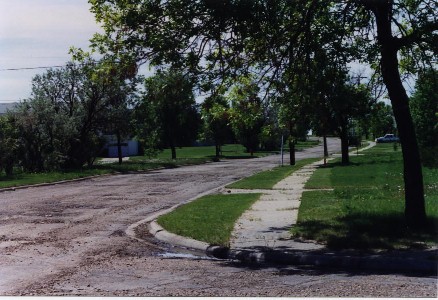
226 38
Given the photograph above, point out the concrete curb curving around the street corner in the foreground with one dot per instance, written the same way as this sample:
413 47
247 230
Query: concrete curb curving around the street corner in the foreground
319 259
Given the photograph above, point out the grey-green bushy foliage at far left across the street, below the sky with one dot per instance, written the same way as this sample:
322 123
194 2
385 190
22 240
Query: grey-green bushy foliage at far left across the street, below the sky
61 124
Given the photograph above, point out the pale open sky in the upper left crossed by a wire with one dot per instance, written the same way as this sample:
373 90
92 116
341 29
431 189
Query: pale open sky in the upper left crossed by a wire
39 33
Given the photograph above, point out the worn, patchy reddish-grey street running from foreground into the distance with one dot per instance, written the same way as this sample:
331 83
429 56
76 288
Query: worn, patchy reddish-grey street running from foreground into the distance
68 239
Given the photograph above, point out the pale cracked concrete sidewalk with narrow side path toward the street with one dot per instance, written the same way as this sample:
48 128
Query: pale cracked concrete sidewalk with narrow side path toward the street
268 221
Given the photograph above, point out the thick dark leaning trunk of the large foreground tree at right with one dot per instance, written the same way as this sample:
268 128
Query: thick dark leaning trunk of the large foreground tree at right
415 211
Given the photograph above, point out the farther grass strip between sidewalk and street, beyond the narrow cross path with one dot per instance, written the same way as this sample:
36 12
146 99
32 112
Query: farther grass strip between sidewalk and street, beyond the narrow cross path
267 179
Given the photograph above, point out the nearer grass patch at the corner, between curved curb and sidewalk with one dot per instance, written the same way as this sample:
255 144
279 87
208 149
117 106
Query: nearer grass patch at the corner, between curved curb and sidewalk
210 218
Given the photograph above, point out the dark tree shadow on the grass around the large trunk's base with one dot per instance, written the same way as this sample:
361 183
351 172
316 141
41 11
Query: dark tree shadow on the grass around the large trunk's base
368 231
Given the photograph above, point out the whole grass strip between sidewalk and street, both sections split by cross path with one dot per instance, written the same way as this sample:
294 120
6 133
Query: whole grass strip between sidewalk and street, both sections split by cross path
211 218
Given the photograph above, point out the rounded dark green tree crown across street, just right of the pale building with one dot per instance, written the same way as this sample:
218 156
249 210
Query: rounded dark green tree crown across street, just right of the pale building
169 106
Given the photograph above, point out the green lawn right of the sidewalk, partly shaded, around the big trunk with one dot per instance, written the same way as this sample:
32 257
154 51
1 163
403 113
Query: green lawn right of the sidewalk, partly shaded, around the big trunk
366 208
